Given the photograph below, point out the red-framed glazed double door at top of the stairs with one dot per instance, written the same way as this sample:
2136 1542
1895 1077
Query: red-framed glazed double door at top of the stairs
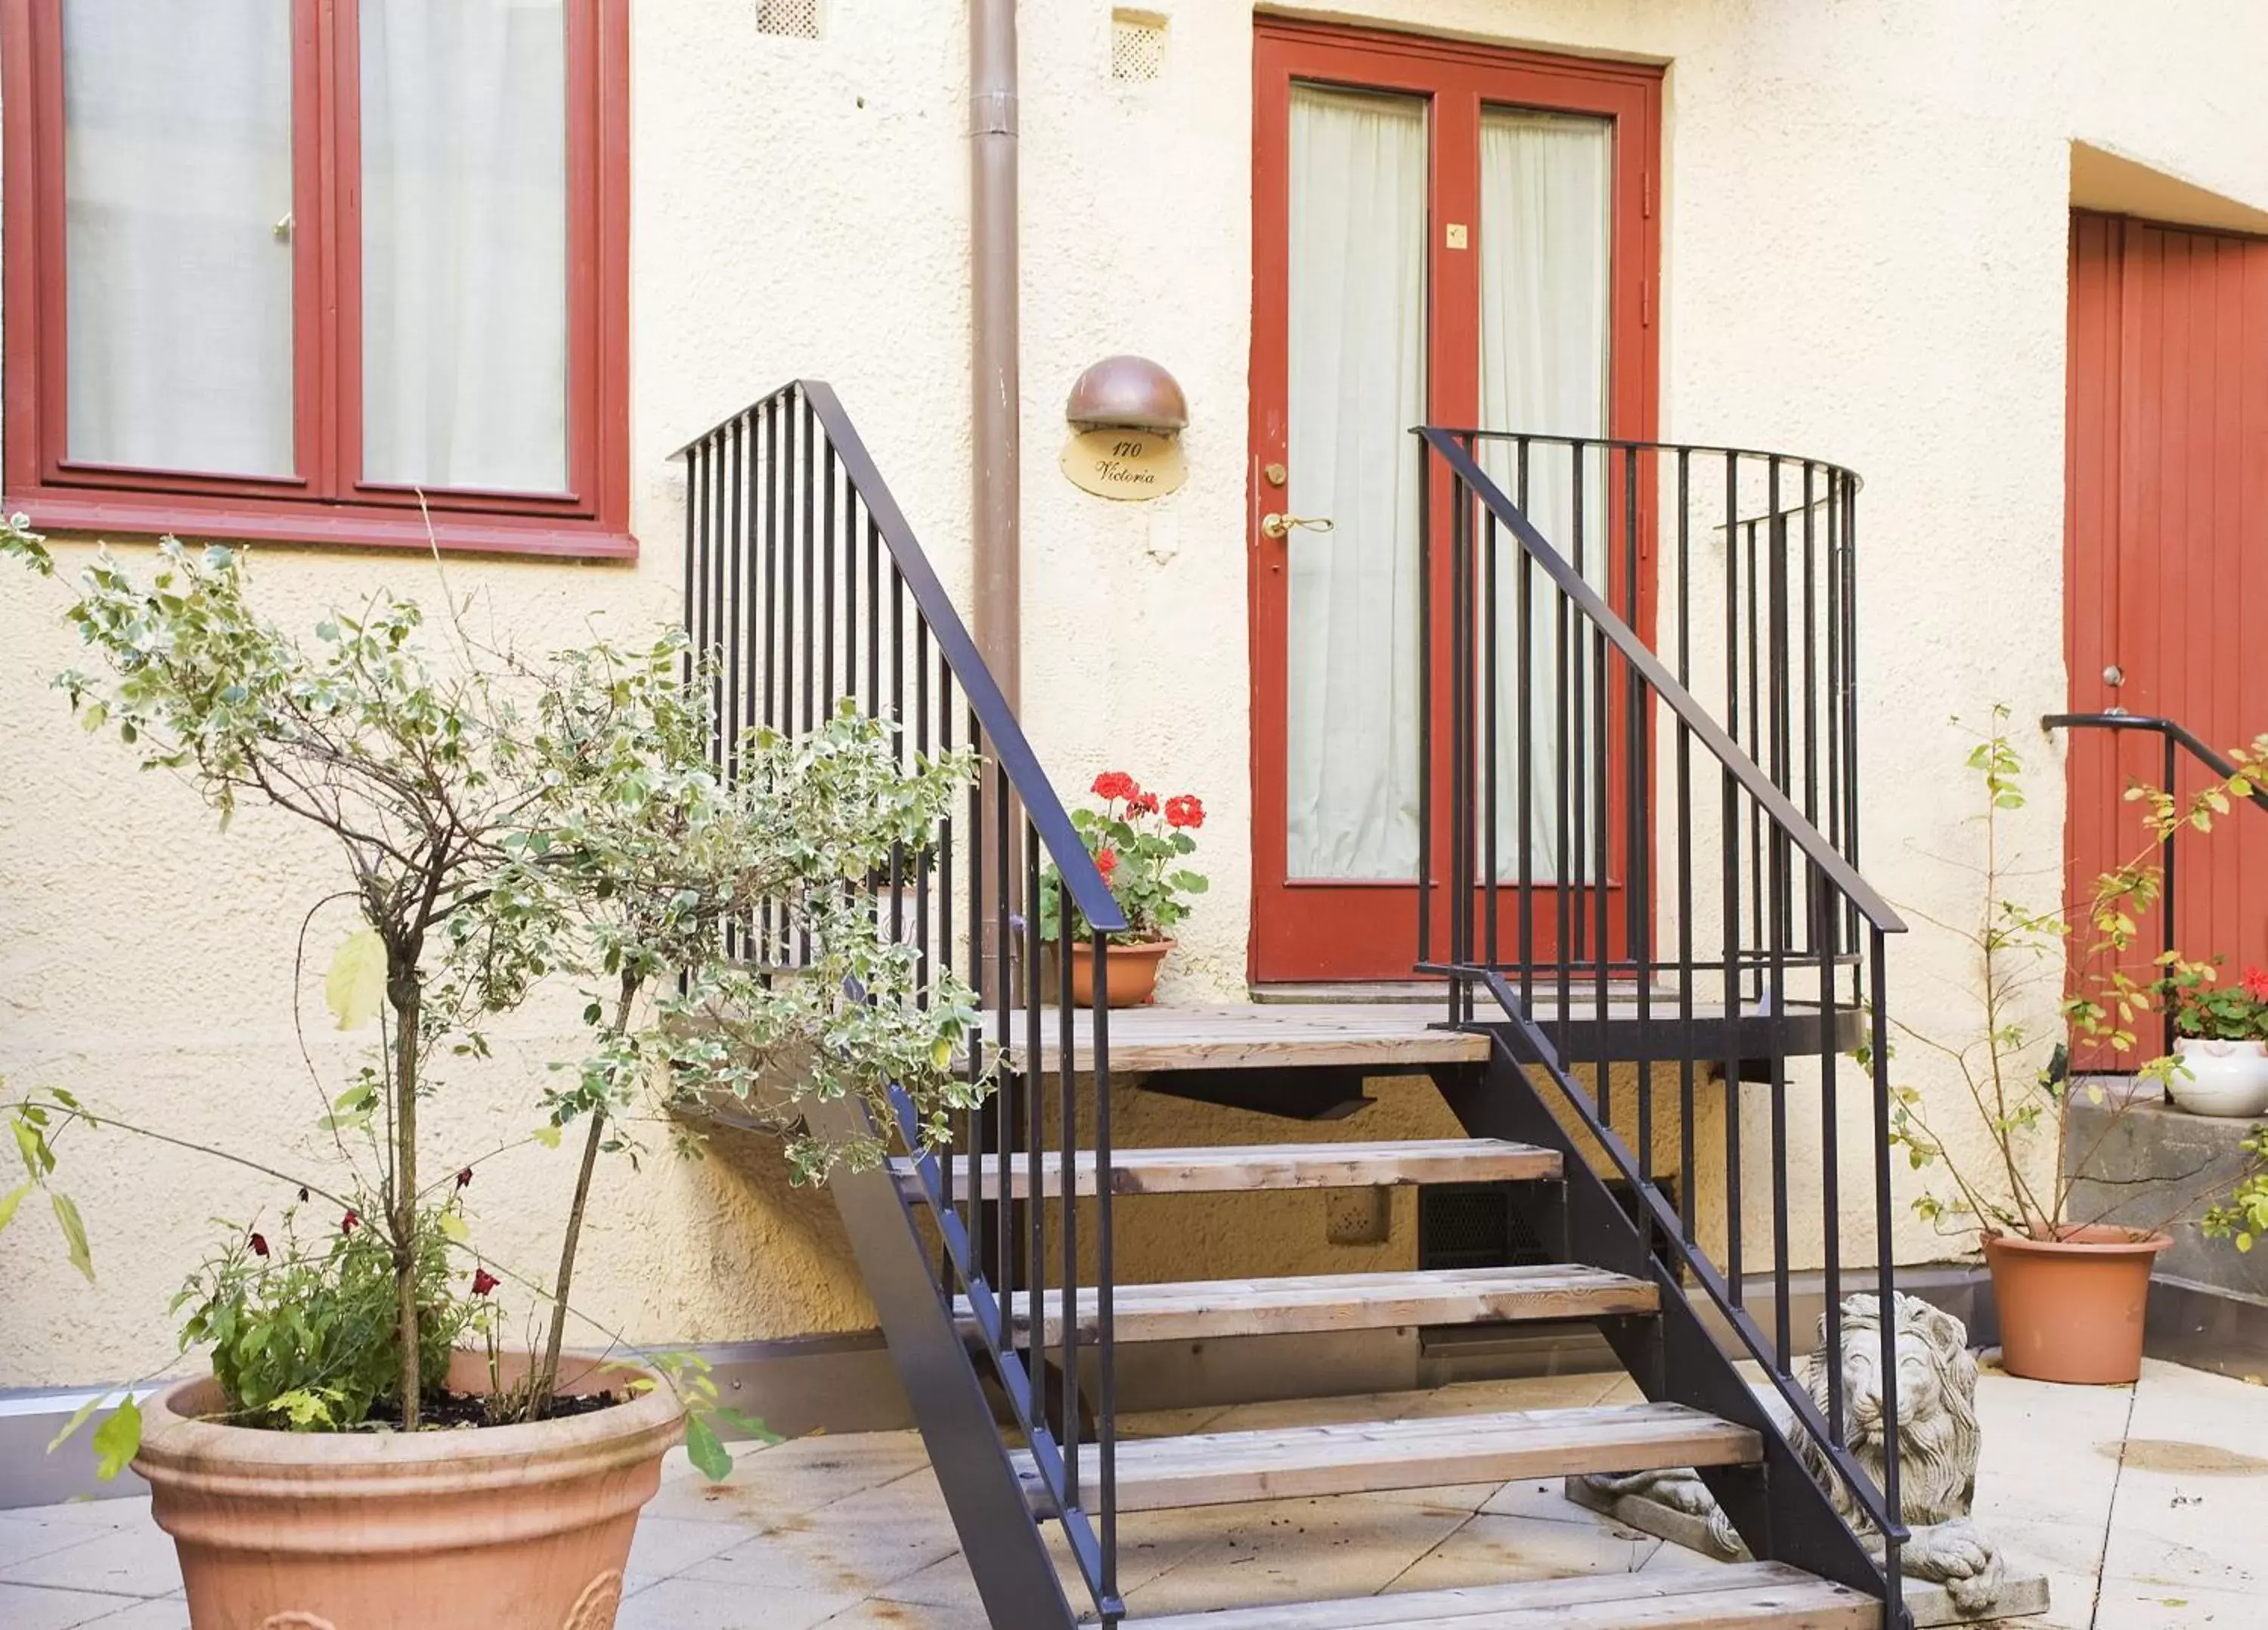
1444 235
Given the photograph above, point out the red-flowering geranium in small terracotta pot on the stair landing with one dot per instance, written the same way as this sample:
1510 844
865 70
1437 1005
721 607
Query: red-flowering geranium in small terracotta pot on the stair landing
1140 844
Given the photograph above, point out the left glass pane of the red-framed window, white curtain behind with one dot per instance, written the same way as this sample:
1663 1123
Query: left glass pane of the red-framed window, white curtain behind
178 251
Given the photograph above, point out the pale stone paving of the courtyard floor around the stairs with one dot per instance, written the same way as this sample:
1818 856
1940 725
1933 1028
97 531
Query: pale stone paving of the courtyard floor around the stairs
2142 1506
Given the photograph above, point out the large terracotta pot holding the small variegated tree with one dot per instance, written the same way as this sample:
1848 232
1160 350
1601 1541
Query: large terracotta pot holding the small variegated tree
484 1529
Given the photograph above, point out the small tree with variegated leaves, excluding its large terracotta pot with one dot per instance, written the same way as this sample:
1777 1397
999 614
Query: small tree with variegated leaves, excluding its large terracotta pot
507 824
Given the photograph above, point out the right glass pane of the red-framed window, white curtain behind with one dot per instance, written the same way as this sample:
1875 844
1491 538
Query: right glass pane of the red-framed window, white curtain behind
466 244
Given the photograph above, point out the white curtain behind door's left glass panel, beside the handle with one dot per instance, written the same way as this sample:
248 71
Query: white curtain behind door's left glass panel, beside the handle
1357 387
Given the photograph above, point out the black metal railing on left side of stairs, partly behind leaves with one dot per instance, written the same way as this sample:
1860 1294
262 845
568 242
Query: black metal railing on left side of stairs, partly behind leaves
806 586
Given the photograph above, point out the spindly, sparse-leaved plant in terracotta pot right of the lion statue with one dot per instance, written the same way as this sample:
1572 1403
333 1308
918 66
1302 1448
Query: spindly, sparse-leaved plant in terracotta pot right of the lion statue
2070 1289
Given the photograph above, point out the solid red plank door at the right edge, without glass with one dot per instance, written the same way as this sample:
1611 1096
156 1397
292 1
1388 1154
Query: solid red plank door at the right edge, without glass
2167 550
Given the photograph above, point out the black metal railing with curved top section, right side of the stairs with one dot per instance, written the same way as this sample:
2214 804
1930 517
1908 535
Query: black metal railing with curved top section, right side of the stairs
1596 704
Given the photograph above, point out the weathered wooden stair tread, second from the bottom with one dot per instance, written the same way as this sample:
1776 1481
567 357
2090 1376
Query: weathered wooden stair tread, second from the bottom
1416 1454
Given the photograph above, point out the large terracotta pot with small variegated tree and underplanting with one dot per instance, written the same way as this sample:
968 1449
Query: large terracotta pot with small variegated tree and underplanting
366 1450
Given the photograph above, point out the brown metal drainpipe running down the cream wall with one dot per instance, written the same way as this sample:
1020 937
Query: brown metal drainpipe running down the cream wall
995 382
